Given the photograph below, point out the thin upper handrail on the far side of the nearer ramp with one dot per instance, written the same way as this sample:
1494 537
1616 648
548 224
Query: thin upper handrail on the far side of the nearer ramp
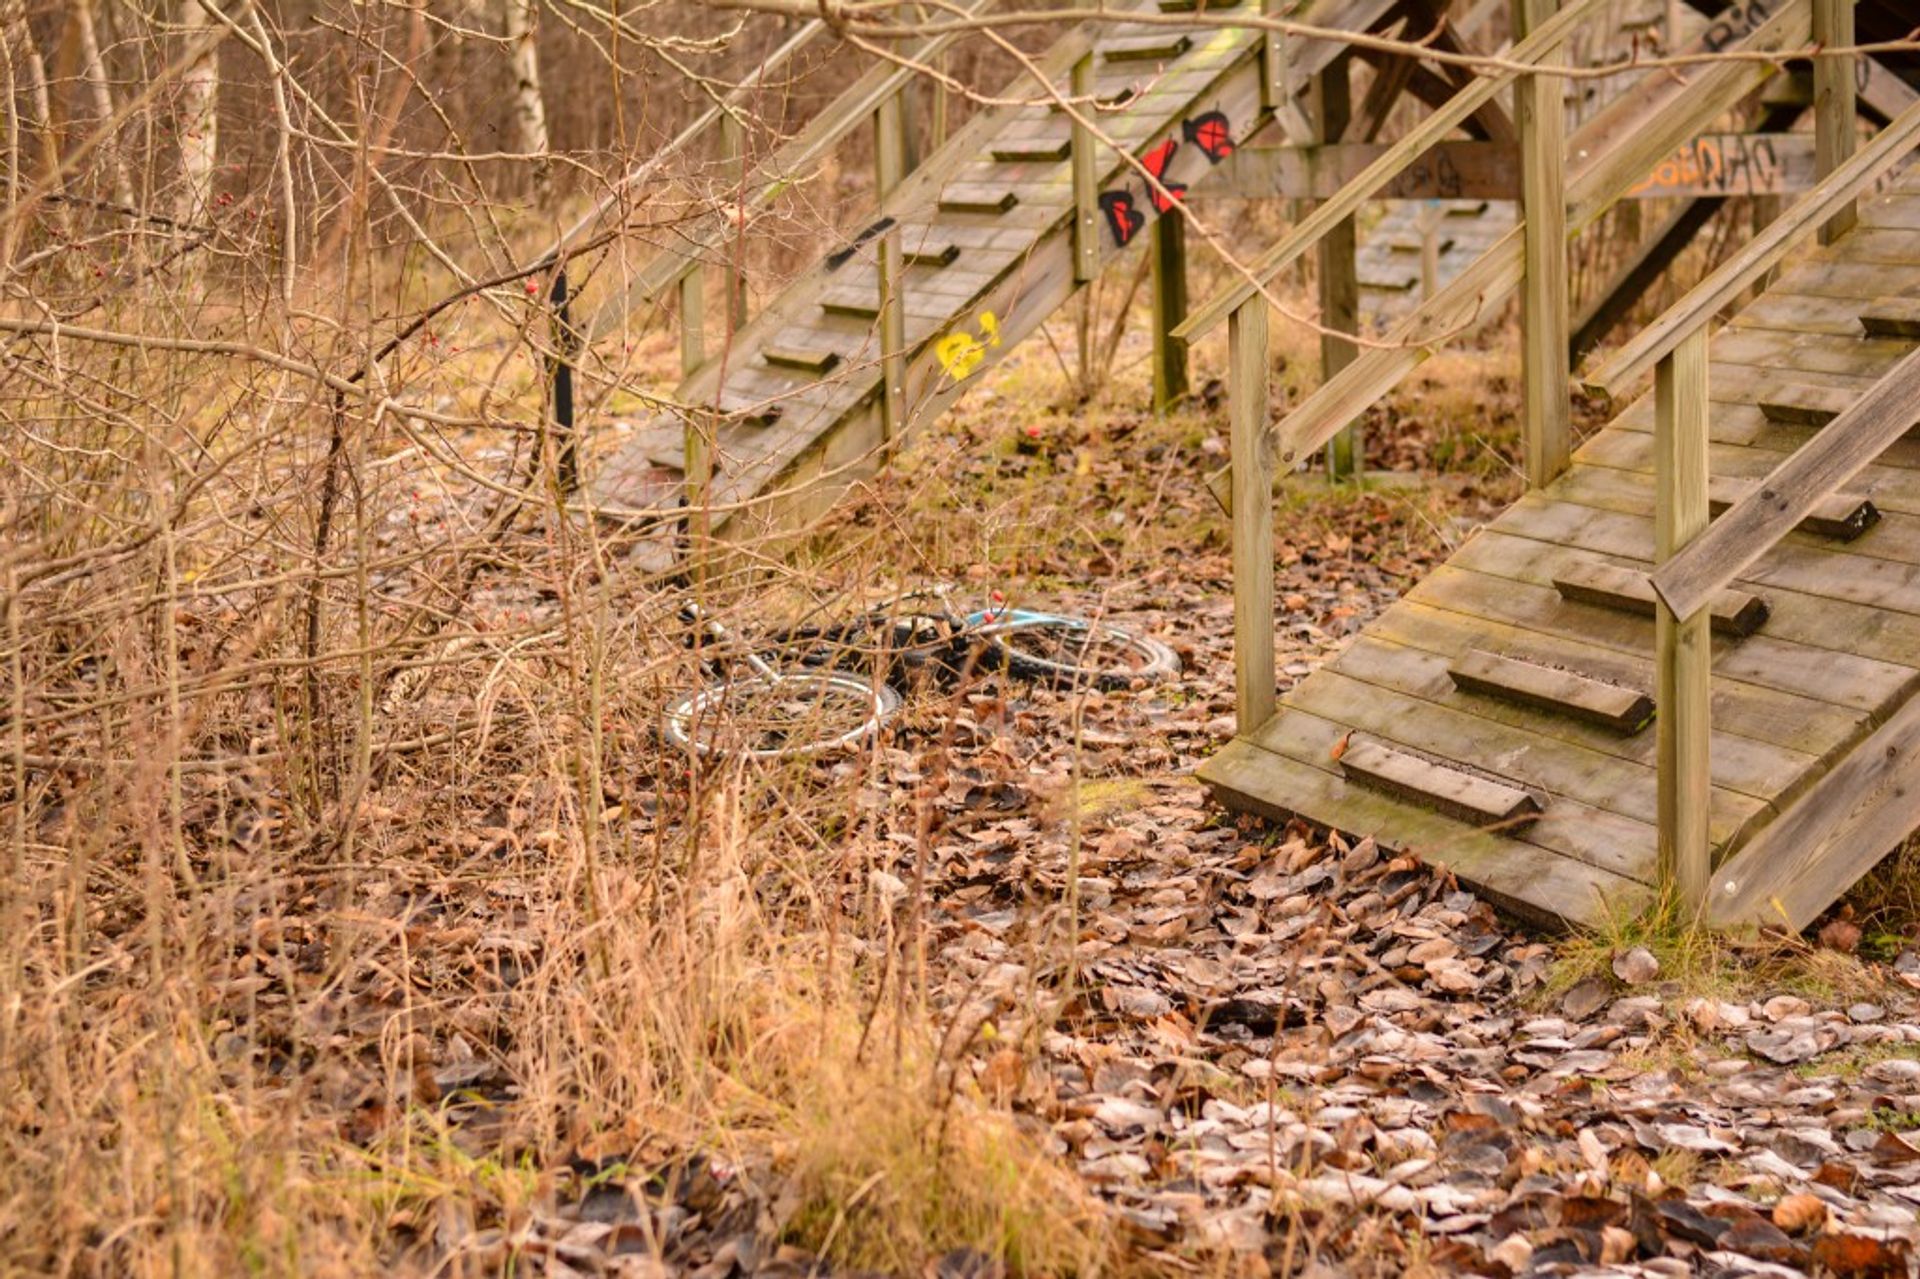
1370 181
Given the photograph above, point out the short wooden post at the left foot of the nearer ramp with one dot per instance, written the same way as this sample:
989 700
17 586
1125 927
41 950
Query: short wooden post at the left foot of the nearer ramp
1251 450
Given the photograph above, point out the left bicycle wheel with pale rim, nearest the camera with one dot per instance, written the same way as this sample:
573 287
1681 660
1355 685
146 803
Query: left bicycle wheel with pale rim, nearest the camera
802 713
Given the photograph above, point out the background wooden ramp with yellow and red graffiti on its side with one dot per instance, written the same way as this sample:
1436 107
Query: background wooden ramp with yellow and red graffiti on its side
986 231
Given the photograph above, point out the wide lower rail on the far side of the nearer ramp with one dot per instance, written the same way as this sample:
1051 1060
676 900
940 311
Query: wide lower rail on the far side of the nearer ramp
1499 272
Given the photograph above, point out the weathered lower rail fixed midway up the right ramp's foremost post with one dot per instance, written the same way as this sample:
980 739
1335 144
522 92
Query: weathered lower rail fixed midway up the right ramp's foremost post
1815 471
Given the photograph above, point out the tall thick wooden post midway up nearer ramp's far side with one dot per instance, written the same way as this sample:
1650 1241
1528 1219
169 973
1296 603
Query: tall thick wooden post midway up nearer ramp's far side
1545 322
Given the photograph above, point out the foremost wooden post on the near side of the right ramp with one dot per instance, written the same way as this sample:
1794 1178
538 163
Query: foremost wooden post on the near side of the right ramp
1683 646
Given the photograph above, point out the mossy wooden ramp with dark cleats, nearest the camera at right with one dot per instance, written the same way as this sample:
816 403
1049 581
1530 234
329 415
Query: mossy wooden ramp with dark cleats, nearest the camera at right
1499 717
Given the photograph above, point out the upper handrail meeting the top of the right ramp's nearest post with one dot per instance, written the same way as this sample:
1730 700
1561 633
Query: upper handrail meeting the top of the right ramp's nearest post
1758 258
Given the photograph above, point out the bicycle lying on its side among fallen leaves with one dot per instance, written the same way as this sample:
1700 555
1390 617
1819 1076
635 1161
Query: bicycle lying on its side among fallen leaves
823 688
